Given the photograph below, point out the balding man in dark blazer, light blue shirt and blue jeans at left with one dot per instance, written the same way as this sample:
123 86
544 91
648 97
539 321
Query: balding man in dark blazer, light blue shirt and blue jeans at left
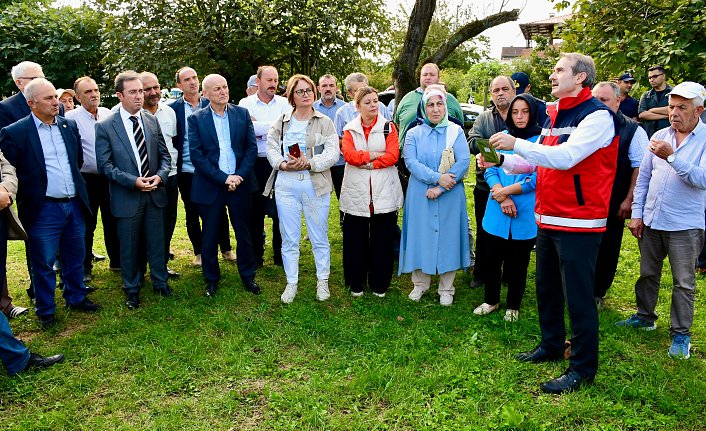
46 151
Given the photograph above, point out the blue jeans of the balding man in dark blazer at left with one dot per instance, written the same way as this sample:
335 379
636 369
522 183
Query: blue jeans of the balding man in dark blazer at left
59 226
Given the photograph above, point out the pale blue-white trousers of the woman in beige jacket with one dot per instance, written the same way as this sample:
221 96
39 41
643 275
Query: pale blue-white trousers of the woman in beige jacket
295 195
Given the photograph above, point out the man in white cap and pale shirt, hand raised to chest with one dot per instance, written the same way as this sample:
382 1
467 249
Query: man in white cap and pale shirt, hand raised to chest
668 215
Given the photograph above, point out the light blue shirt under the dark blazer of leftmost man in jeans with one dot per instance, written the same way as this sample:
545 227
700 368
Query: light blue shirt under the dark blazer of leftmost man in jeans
60 182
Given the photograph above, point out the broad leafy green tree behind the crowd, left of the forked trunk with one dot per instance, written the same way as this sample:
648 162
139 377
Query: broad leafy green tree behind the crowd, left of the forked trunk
234 37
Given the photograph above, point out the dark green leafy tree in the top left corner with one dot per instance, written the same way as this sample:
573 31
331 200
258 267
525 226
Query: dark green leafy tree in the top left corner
66 41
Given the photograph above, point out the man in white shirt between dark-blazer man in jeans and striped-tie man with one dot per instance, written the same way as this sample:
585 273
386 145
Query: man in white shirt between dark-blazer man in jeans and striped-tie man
86 117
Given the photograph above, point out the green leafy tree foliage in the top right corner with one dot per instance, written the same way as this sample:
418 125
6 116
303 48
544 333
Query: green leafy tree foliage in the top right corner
667 32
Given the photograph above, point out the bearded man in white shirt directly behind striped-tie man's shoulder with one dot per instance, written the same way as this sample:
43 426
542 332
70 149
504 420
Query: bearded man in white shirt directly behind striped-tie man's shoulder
167 122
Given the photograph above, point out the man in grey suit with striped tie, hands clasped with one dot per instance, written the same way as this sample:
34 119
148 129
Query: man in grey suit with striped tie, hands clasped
131 152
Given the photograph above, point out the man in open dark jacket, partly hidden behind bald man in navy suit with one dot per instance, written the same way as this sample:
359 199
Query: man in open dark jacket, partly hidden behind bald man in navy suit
188 82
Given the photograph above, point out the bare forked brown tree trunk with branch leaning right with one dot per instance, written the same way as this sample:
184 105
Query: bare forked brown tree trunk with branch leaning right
420 20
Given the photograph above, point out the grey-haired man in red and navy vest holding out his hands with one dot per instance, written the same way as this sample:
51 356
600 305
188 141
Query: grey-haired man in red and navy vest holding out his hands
575 163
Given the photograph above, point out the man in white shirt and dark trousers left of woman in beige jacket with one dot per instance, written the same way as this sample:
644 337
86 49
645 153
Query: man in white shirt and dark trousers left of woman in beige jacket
265 107
